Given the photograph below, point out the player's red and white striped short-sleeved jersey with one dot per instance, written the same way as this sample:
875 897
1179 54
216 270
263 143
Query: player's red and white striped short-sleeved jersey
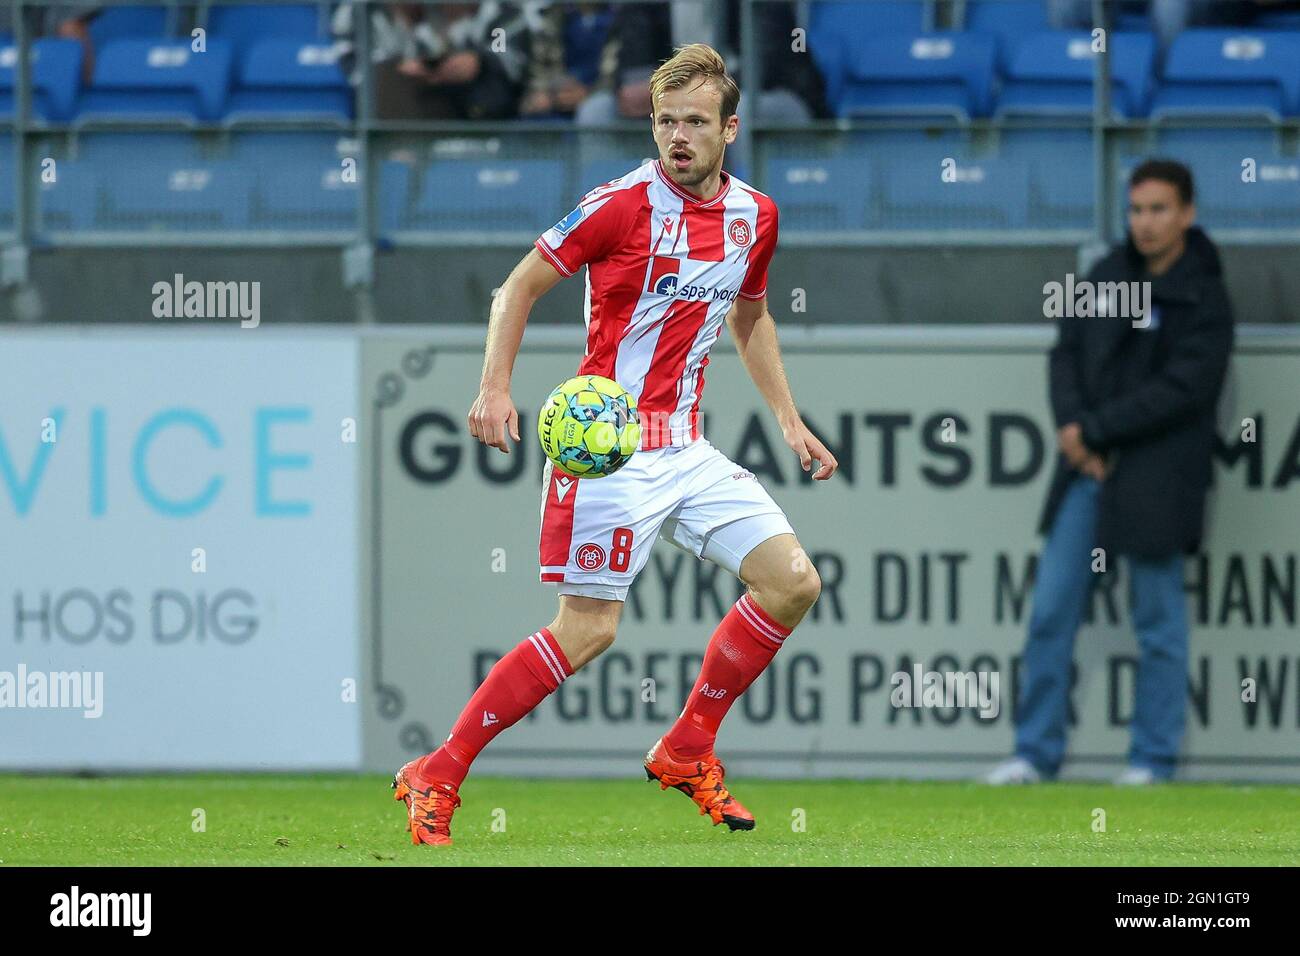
664 269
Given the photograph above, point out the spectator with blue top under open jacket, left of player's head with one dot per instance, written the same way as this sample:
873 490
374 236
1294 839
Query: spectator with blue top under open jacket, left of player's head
566 58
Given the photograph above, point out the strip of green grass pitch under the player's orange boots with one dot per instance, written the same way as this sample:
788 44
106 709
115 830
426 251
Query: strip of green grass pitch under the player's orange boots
324 820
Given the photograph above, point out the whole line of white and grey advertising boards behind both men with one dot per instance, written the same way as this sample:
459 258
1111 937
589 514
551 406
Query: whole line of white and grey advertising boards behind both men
365 561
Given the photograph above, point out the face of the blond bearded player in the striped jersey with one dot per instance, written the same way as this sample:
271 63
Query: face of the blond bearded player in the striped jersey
690 132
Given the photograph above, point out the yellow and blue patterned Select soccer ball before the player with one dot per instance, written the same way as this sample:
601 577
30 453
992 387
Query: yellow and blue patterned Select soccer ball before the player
590 427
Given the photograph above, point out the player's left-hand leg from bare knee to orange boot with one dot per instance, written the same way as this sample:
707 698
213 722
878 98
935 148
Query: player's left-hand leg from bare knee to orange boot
519 682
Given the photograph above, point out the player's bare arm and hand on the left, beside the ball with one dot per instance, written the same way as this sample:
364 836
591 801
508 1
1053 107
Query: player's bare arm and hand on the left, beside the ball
493 413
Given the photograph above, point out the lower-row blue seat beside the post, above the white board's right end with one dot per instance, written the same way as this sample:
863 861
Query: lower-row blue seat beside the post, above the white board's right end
301 181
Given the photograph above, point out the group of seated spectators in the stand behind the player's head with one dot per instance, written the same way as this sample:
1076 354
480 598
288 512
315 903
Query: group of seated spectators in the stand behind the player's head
591 63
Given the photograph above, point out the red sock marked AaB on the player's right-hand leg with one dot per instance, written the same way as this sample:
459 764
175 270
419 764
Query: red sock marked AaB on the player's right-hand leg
743 646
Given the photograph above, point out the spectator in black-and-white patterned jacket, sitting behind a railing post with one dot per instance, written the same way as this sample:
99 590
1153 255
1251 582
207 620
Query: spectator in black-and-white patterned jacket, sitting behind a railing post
441 63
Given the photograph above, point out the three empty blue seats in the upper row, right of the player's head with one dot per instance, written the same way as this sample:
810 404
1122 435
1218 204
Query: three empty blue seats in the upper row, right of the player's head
1052 73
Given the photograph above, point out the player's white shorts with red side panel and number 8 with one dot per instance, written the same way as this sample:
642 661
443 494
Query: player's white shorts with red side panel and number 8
597 533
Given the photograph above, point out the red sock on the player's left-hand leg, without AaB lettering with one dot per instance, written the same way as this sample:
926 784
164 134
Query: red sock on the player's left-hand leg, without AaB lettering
515 685
